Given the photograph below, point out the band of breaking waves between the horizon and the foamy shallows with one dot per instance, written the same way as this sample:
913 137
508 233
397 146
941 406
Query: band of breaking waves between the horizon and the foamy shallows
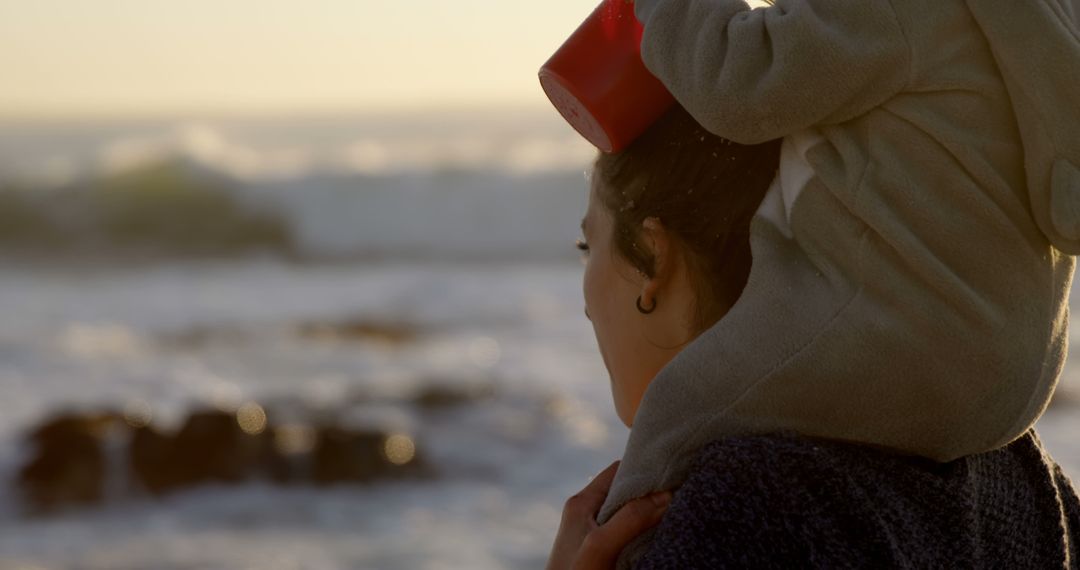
423 187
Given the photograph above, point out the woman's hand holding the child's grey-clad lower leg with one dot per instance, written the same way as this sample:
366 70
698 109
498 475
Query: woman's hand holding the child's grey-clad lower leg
582 544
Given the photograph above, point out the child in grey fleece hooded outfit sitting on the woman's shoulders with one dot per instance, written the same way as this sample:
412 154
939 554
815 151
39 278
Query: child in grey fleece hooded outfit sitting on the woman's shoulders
913 261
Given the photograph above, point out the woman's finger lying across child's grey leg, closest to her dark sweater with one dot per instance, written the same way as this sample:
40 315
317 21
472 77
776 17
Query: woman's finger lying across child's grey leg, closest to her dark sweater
602 547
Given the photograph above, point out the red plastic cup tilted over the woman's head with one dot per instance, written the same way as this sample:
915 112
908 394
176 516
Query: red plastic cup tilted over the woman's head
599 83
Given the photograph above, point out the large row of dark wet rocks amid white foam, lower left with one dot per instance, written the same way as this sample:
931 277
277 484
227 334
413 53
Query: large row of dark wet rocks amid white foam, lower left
72 451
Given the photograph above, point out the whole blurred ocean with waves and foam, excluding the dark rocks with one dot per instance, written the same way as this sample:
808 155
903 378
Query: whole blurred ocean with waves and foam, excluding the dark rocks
172 265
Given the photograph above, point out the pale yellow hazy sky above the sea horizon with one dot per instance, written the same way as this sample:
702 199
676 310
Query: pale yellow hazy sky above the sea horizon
131 58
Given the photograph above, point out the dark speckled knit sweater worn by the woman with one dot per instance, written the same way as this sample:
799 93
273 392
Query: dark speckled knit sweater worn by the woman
785 501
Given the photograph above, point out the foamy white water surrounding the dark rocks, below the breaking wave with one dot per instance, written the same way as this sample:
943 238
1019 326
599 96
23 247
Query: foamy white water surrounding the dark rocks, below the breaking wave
110 336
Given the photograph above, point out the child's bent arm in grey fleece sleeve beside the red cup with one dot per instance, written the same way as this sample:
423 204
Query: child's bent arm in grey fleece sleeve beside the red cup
752 76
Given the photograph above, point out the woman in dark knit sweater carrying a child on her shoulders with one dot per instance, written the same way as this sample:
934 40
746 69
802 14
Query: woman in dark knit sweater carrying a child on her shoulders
667 240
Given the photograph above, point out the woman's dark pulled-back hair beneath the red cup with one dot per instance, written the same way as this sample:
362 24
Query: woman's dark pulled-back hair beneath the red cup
704 188
